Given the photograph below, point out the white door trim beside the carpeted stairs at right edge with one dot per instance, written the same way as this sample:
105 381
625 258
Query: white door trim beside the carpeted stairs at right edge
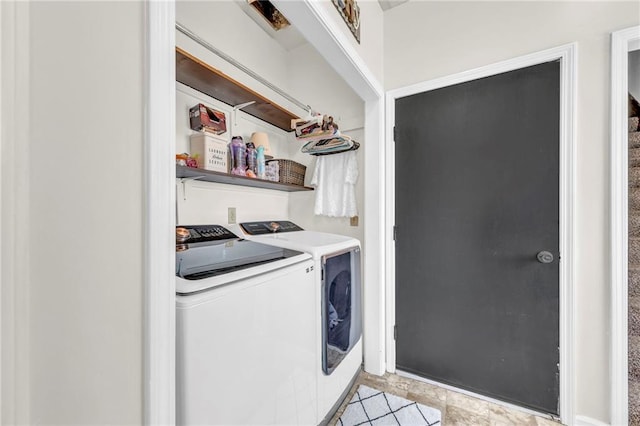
621 44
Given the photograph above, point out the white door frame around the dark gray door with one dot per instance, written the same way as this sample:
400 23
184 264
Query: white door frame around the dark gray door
567 55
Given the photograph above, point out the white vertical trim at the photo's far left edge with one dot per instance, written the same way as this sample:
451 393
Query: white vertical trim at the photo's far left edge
14 278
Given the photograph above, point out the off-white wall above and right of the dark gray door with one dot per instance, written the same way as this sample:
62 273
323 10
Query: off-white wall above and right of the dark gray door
450 37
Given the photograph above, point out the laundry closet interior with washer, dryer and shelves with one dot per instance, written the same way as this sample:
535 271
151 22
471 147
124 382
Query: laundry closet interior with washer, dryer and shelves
269 315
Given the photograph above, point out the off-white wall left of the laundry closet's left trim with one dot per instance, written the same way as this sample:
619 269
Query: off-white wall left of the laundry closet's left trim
84 224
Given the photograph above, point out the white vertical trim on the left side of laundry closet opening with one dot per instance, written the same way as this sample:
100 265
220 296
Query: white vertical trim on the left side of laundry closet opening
159 220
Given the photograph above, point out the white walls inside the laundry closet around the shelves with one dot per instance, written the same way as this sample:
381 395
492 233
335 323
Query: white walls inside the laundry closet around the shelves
286 61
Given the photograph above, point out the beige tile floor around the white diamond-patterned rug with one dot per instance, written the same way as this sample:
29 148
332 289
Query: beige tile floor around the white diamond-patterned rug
456 408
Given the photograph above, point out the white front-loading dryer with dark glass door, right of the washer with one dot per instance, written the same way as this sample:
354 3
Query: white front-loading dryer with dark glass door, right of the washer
337 269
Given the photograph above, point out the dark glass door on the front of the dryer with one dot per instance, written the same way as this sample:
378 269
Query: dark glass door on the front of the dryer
341 306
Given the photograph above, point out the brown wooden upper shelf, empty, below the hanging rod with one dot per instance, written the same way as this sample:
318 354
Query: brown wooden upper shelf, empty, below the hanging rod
198 75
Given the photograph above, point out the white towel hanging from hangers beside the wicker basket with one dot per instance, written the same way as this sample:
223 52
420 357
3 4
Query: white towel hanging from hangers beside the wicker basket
335 177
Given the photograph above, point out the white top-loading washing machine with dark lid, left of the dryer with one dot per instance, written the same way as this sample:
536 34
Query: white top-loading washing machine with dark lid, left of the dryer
245 331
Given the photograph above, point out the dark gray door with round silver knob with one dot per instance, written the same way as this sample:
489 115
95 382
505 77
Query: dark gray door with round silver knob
477 198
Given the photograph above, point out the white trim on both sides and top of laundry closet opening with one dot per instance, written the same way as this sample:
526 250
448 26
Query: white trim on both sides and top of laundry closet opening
159 361
